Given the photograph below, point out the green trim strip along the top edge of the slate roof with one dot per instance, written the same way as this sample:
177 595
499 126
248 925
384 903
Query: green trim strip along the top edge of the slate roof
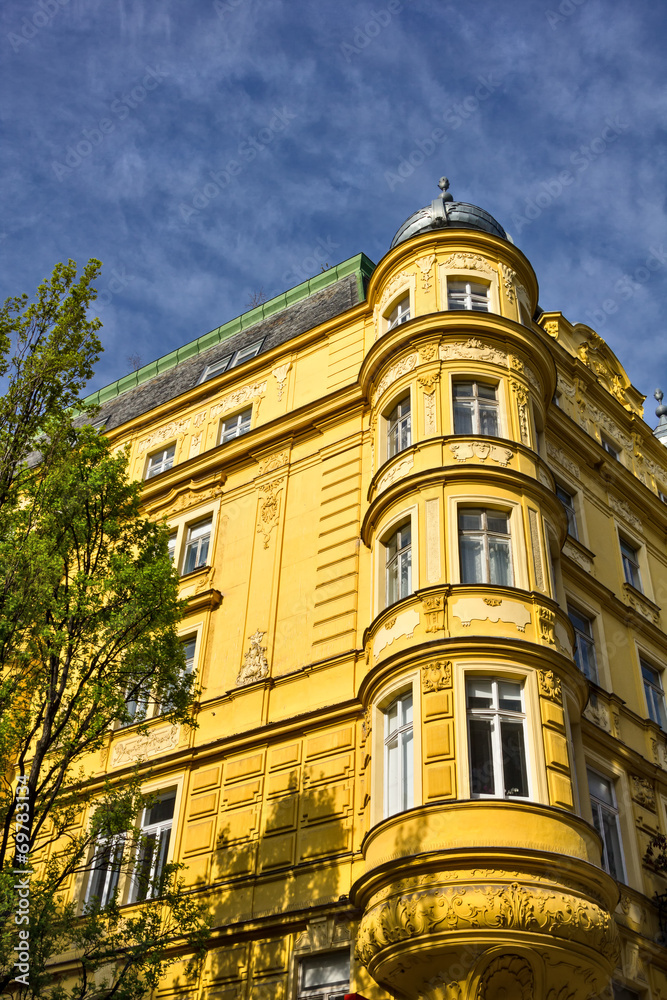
361 266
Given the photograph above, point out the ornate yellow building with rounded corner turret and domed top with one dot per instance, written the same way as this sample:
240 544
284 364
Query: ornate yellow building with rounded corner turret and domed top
421 528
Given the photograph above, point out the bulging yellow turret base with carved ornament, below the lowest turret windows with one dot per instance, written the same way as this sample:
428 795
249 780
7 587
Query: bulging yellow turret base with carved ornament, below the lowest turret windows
482 879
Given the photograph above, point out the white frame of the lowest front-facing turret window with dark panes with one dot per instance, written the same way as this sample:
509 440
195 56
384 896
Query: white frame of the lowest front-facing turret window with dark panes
496 716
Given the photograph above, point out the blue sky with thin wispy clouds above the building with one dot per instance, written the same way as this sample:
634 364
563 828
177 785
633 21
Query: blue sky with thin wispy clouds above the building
207 150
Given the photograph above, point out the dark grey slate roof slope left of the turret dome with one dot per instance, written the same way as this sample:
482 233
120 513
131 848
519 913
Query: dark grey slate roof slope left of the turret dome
276 329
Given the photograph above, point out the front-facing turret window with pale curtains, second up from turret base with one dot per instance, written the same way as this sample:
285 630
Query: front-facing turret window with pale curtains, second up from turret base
485 547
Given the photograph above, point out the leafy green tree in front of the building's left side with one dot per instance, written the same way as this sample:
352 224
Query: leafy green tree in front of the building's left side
88 613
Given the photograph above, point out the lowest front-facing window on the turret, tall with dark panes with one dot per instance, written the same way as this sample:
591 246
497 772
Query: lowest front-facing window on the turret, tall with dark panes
496 738
